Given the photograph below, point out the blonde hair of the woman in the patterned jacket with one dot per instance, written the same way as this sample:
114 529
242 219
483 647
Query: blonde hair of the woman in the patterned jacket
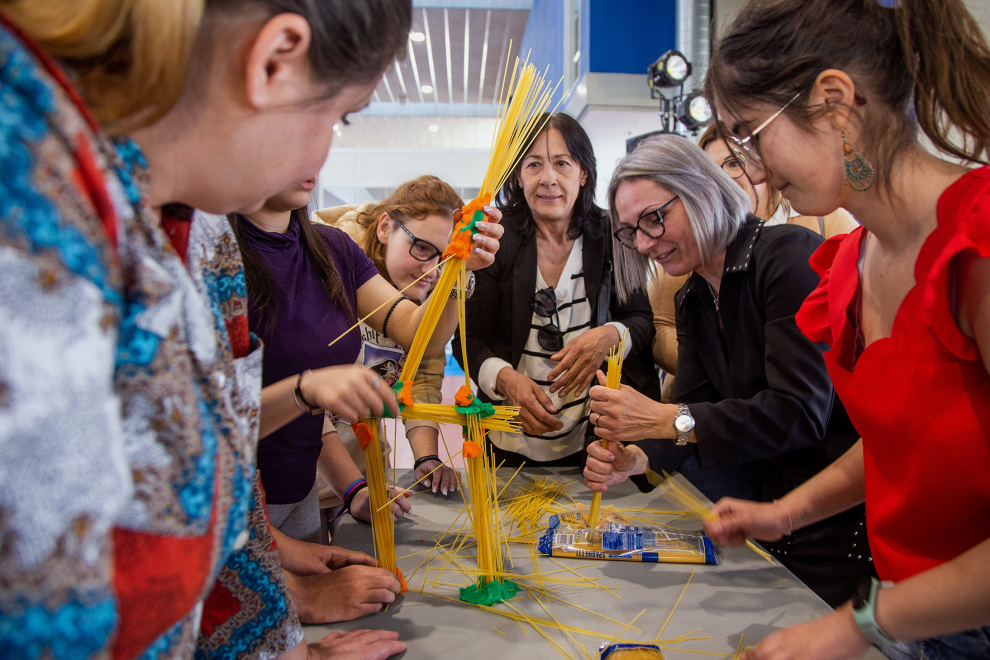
130 55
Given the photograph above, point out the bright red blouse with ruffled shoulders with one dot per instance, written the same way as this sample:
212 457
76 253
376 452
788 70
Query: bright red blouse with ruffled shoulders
920 398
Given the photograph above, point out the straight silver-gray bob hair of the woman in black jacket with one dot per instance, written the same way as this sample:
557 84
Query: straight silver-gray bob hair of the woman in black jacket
716 206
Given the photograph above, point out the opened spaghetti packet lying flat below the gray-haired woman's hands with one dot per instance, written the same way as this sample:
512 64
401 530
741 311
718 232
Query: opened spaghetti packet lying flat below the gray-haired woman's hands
615 539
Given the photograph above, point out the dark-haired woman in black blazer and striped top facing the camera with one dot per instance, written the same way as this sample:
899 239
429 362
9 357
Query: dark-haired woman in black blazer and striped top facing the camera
545 315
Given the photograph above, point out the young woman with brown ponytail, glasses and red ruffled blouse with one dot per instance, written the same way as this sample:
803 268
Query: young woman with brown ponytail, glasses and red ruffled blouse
824 99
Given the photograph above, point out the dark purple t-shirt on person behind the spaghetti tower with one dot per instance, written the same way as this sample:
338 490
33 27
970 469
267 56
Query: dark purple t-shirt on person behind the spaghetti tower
305 323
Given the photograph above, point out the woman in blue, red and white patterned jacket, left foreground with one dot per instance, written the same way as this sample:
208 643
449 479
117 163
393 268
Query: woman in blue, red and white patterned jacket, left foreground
132 518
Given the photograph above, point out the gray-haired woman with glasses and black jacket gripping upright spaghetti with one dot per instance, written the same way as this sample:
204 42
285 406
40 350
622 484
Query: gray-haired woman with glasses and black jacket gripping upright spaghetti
754 412
